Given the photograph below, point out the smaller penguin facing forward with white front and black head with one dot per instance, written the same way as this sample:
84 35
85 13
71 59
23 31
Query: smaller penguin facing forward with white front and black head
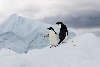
52 37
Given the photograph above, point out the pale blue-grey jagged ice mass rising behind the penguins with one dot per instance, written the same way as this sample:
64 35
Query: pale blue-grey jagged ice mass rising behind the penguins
23 34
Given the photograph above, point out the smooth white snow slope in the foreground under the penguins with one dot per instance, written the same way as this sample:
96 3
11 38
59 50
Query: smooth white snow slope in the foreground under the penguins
84 53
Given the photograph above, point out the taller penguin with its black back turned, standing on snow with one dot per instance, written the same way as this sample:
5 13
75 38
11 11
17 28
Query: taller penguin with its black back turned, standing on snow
63 31
